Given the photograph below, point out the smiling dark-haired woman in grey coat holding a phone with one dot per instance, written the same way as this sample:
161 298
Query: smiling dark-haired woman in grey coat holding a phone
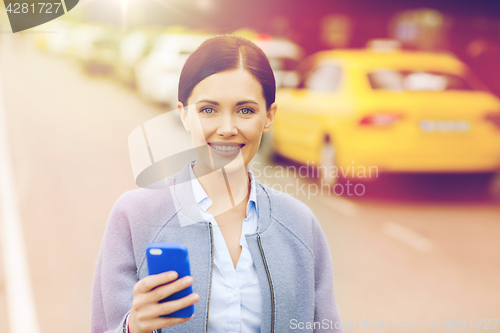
259 259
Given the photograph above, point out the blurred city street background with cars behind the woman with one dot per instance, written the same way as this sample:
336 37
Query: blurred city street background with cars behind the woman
402 97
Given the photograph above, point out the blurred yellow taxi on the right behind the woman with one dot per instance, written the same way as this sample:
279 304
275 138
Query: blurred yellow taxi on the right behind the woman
361 112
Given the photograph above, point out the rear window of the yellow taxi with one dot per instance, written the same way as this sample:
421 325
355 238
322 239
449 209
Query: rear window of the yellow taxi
405 80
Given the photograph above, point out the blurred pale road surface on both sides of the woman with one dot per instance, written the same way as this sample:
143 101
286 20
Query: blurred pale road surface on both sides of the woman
412 249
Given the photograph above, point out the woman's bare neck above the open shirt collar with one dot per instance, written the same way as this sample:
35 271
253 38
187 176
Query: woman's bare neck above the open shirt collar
226 189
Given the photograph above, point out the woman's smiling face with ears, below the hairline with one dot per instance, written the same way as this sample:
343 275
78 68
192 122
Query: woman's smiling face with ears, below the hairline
226 116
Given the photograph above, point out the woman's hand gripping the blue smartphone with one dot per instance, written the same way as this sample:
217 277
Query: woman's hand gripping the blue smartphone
146 311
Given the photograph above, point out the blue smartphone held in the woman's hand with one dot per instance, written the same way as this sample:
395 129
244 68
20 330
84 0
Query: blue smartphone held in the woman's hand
163 257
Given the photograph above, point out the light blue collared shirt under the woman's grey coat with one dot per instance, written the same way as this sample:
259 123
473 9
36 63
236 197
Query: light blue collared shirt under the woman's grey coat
235 299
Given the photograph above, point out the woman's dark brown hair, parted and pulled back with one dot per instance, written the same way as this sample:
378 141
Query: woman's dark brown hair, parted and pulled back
222 53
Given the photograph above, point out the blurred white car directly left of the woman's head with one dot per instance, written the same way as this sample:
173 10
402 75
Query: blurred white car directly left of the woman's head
158 73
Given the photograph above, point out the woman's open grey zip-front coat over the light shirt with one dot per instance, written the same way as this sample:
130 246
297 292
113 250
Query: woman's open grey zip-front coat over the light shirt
289 250
